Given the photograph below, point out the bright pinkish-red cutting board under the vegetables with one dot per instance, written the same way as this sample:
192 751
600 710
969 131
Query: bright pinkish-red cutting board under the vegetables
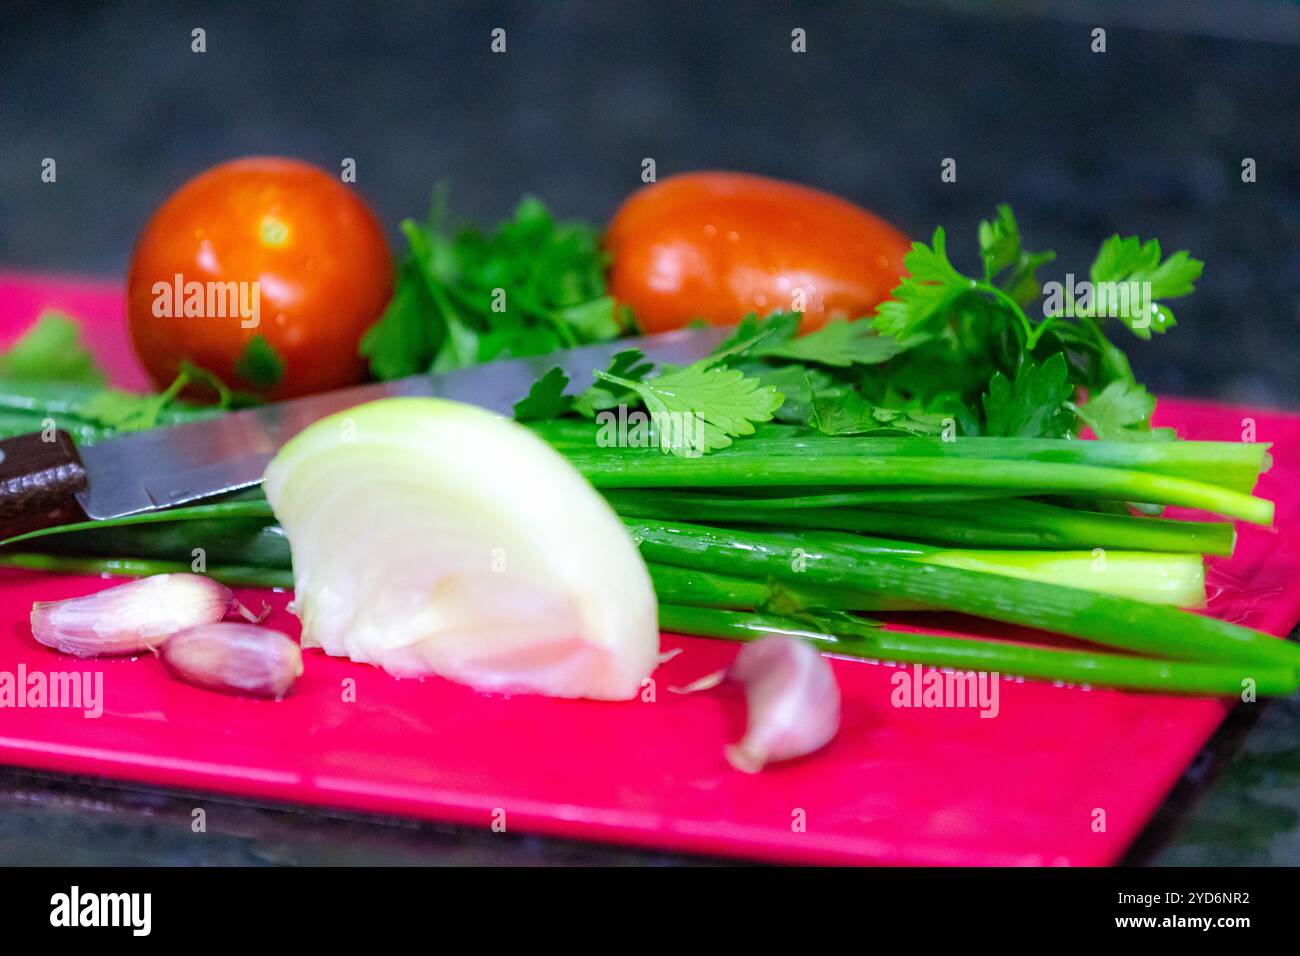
1060 776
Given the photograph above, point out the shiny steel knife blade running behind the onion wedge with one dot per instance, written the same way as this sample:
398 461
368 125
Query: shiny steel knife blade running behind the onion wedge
163 468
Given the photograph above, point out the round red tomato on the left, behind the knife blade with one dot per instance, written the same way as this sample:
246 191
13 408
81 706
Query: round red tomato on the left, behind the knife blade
259 248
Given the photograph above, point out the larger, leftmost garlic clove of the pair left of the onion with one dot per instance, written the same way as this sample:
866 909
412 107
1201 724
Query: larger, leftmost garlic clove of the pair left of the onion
129 618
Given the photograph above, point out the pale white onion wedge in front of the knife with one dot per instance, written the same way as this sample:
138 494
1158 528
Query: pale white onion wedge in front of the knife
435 538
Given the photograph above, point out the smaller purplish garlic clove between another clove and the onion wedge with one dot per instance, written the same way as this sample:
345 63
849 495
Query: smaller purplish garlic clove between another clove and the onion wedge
235 659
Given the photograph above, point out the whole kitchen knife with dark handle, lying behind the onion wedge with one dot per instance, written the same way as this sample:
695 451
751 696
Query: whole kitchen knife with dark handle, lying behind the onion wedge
46 481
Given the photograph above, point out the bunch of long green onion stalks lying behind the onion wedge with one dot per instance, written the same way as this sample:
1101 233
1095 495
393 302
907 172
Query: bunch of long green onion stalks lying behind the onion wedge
808 512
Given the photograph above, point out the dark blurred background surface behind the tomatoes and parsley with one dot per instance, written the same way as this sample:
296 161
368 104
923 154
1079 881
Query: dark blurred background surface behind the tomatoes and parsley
1146 139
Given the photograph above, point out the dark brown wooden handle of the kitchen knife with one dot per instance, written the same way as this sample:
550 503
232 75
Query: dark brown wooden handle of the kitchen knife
40 477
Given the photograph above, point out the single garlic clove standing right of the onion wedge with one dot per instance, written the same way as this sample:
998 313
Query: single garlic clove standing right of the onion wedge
792 700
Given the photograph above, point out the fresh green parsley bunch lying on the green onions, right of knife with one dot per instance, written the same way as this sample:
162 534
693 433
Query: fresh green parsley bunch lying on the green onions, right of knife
948 354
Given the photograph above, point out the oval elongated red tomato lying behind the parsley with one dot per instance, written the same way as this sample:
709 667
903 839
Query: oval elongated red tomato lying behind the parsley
717 246
